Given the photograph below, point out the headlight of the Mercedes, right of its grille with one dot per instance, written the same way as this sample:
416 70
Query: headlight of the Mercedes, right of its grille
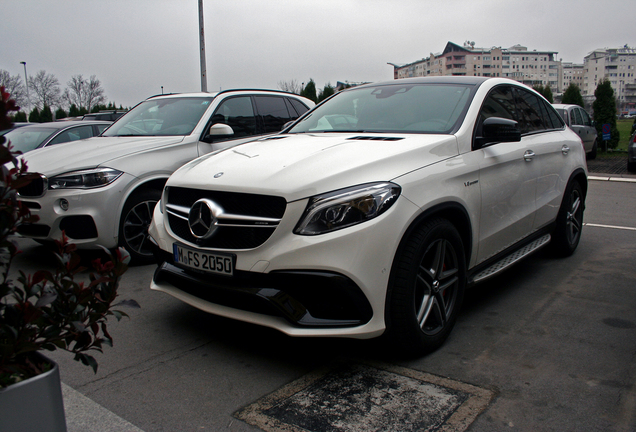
346 207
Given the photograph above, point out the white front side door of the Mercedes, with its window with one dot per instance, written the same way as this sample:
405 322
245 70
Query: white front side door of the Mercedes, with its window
507 180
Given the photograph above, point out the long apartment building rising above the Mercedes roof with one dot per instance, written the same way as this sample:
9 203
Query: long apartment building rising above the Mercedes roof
517 62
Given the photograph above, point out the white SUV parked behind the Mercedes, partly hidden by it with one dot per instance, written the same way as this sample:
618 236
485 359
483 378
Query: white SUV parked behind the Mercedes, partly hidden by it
102 191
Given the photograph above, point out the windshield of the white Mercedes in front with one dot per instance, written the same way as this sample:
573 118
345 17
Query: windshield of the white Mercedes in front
404 108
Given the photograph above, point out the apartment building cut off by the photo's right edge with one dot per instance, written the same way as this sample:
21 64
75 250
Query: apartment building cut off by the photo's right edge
618 65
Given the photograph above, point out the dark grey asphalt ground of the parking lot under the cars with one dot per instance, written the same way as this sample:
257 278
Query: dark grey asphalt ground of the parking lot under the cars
548 346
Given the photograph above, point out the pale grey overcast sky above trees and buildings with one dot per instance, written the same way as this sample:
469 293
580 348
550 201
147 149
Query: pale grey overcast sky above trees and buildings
136 46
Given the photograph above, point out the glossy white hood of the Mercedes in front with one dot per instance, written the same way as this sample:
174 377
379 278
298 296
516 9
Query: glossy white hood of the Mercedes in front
298 166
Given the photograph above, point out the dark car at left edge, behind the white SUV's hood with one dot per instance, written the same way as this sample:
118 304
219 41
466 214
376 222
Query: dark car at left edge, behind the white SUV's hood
37 135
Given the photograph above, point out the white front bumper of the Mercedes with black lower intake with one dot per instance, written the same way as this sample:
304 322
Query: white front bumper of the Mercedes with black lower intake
327 285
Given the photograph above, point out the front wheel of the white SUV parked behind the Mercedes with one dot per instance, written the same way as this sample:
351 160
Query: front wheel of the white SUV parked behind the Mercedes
134 223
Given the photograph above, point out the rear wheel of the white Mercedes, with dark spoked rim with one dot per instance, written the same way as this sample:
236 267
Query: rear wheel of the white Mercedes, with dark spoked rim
569 223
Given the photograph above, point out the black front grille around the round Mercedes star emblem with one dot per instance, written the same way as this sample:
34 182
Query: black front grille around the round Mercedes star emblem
237 234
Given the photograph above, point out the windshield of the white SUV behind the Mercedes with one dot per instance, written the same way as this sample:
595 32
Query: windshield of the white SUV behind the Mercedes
159 117
